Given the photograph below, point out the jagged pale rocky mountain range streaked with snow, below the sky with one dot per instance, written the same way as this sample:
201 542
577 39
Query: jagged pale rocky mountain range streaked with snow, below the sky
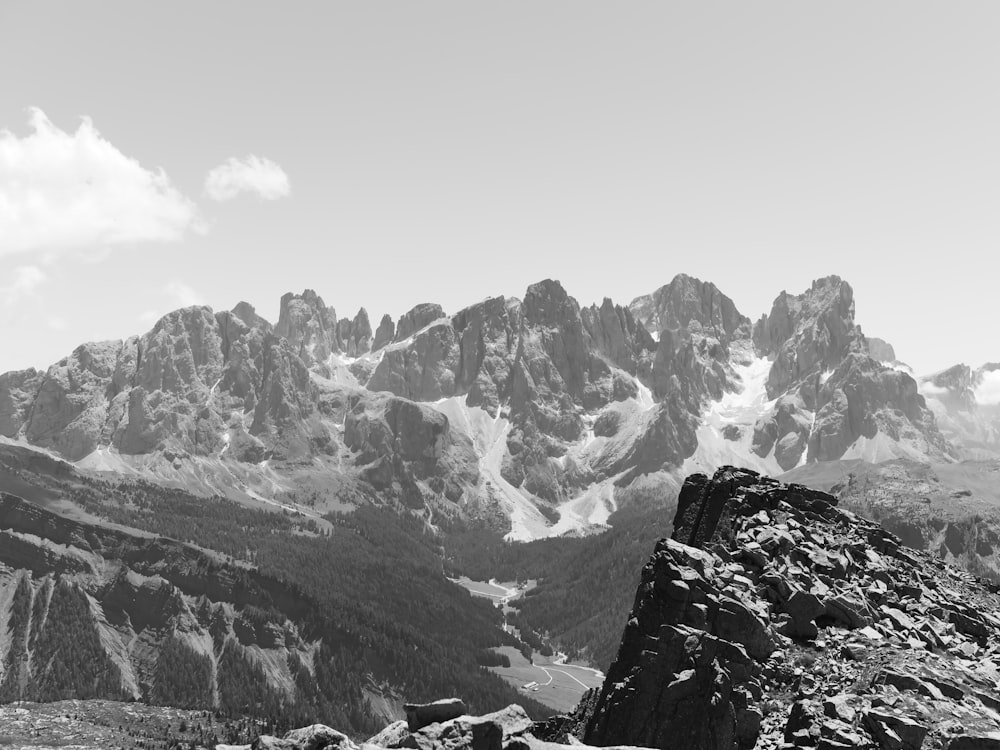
537 415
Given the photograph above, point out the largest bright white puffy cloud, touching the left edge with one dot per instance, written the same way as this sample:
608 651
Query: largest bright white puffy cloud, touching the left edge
60 189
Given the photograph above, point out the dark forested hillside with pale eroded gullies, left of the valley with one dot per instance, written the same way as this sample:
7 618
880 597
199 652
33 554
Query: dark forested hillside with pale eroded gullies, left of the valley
242 611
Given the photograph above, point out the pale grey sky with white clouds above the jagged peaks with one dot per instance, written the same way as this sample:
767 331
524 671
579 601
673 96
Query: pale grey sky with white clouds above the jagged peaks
384 154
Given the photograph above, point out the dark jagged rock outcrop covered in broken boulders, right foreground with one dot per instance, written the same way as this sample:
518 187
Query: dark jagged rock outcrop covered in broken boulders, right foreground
773 616
